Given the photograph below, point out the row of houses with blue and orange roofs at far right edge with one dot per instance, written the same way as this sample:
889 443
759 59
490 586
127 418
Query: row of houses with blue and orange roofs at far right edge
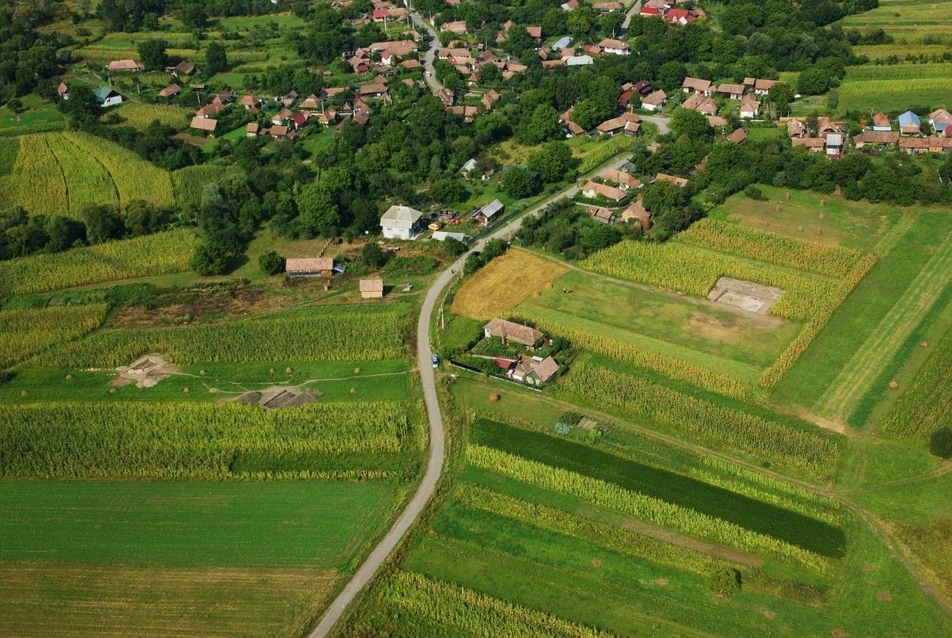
879 134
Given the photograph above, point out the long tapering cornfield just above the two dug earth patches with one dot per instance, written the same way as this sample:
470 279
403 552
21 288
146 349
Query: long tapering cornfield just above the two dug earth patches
339 333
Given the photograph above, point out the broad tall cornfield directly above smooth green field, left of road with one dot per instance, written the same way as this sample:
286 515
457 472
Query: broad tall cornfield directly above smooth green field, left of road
191 440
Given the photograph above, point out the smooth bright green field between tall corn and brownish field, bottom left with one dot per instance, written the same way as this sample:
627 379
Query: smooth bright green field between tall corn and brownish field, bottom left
191 524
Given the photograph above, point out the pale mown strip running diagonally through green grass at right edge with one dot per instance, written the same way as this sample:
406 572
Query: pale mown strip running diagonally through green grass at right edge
854 380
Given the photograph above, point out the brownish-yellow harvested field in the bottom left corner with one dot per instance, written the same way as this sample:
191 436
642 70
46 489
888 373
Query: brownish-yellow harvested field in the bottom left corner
57 599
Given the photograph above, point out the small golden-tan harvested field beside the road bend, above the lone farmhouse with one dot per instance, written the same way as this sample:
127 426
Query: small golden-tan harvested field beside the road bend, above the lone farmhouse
504 283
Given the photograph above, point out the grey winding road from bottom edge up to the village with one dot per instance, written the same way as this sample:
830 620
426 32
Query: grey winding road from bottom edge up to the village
434 466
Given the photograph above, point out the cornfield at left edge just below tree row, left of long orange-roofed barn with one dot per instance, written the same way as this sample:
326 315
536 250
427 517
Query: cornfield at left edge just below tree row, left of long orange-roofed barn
158 254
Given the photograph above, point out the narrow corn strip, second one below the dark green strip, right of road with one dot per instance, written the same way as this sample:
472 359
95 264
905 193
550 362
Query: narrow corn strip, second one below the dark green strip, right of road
611 537
